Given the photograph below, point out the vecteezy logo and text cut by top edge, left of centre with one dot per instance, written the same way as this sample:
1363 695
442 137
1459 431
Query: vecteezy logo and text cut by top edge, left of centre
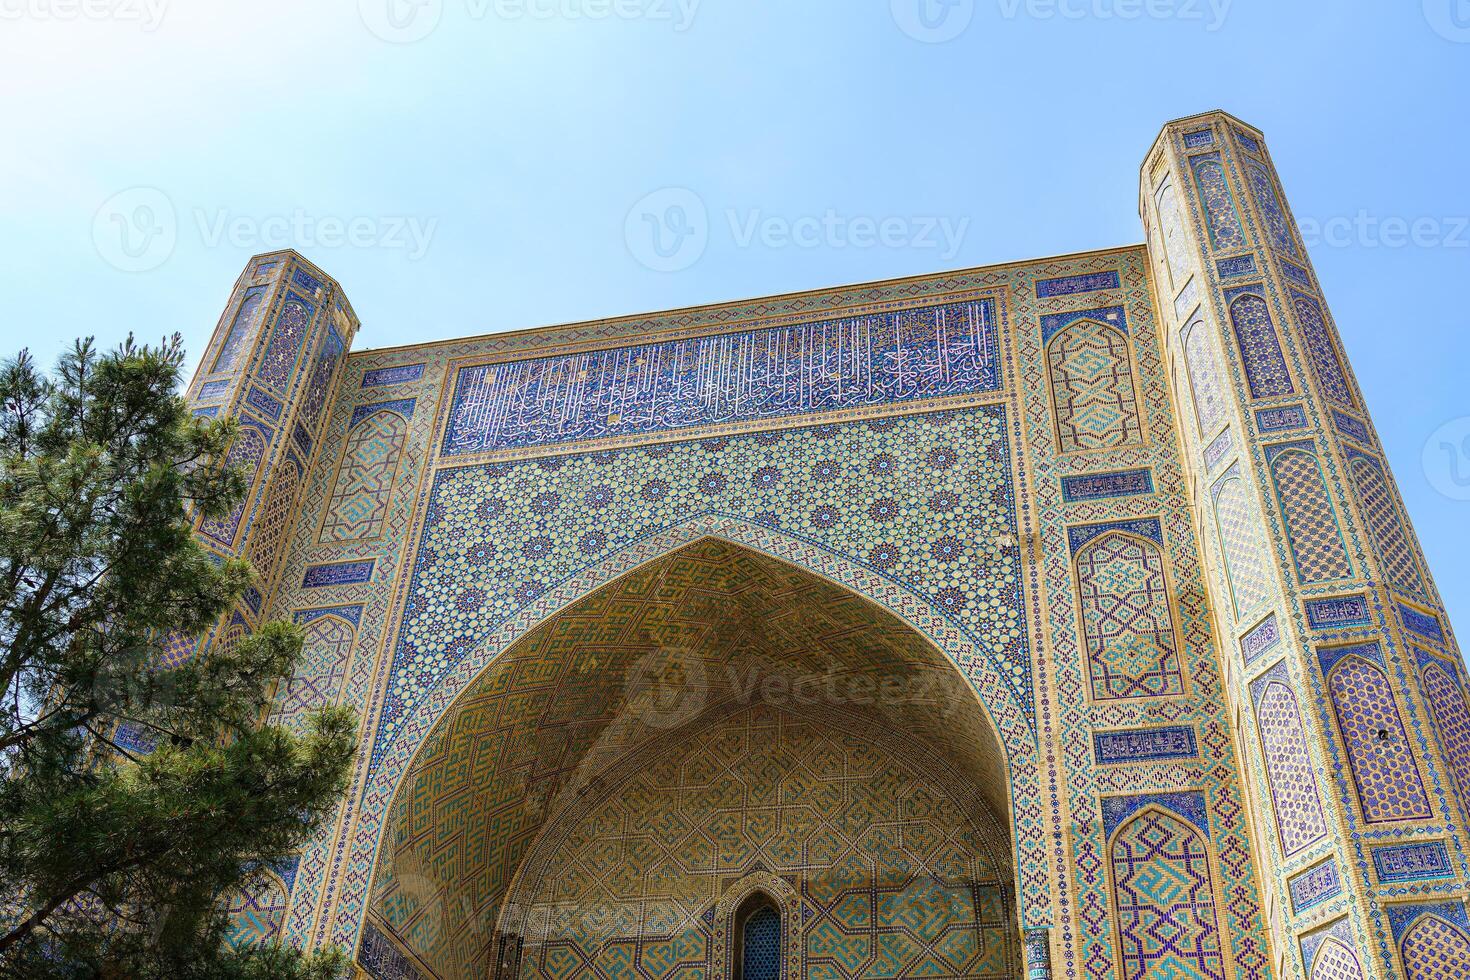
408 21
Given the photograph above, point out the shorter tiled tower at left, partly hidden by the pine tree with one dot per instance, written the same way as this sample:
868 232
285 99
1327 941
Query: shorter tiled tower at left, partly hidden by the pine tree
273 365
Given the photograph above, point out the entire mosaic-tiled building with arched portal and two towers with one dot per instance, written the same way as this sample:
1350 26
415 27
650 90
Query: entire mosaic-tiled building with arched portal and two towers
1059 616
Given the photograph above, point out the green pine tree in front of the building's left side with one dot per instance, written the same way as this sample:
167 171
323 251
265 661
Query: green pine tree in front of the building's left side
115 862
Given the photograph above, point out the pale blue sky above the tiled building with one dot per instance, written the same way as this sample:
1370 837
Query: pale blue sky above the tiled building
477 170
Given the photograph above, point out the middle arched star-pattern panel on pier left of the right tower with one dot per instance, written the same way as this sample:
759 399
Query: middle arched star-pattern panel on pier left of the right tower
1128 619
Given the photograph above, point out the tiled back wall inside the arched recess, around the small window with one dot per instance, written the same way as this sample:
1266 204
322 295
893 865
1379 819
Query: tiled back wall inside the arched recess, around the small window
893 876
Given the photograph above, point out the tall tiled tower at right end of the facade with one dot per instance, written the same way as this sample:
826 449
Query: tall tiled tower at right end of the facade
1347 688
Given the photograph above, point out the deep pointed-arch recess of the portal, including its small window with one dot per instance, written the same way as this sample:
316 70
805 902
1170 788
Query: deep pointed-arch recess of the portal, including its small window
715 766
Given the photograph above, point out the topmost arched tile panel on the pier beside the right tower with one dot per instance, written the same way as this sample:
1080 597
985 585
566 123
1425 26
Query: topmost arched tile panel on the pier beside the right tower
1093 389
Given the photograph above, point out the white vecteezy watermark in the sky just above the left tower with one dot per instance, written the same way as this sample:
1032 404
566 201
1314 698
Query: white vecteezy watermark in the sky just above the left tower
137 230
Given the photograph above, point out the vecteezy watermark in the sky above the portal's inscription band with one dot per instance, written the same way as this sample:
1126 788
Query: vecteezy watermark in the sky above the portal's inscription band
670 231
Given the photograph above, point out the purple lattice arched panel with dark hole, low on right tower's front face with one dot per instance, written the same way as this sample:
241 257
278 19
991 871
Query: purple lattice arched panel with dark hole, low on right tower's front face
1384 769
